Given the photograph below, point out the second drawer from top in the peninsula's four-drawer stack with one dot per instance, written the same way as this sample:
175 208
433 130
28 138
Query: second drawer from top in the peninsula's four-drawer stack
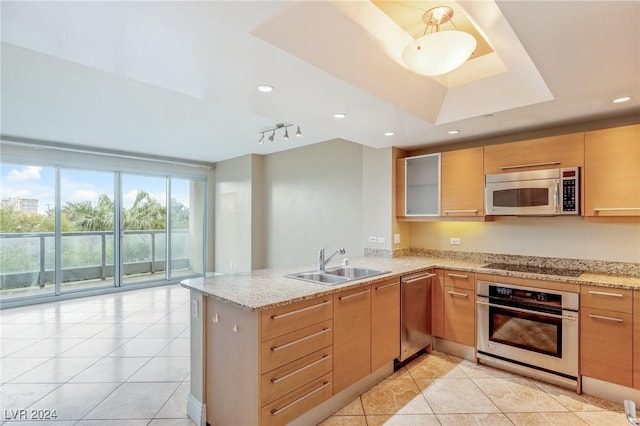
284 349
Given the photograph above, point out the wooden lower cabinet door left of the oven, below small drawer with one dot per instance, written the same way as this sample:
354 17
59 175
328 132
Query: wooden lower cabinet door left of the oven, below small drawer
460 315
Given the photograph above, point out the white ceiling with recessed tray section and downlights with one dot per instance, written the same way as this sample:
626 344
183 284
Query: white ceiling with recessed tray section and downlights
179 79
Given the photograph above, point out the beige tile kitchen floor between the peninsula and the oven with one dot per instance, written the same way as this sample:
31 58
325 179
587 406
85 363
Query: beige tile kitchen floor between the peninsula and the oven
439 389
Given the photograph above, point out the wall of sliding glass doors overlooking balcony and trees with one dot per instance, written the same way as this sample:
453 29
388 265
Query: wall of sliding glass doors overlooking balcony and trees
65 230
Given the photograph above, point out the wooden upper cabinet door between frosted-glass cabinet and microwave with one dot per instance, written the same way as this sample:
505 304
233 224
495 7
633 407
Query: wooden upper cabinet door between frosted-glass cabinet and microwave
463 182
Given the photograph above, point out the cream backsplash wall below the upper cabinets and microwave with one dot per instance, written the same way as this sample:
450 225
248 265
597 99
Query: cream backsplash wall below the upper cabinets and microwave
564 237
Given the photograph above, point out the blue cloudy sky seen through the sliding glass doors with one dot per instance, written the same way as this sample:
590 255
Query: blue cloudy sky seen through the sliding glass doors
20 181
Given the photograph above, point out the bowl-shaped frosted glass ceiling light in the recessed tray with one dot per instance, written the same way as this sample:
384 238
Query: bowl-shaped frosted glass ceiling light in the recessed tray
438 52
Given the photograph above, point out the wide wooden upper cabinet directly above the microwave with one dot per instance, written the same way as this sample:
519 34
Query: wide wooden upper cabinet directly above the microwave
535 154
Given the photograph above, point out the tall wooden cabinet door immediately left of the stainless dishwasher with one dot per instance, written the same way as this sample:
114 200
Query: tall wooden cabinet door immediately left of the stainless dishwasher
385 322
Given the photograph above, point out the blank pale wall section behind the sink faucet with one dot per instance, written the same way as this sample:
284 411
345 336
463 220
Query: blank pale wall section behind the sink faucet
313 199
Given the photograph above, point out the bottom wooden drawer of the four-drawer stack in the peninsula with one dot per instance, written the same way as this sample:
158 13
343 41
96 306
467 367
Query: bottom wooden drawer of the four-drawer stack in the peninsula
282 411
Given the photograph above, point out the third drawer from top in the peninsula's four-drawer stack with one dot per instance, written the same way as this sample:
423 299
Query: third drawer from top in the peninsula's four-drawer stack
283 380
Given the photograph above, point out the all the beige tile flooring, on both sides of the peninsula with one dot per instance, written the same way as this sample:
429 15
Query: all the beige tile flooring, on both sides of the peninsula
123 359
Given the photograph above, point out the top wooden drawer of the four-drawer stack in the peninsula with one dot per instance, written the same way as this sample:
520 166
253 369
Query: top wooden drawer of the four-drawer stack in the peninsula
288 318
